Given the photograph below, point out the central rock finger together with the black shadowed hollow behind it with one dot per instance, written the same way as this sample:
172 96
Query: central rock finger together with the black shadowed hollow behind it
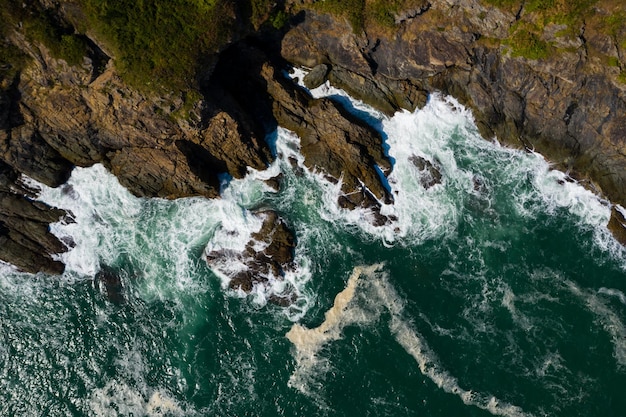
333 141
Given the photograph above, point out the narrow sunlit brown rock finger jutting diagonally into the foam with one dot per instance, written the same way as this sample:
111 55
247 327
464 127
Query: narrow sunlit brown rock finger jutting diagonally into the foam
332 140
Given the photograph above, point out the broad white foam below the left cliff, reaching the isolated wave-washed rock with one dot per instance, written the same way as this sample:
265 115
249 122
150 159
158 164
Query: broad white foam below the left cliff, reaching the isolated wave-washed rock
162 240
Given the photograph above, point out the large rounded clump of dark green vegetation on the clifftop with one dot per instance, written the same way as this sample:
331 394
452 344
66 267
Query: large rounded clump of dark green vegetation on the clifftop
159 44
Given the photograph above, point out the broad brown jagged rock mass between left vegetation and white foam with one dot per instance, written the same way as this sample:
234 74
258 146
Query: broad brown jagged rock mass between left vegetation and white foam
138 136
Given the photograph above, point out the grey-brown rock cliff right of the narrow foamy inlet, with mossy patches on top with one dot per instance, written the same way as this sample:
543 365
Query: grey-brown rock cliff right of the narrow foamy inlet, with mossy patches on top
565 103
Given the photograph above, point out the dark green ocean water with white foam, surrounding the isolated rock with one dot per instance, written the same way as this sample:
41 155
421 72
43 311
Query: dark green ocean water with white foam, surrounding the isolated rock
498 291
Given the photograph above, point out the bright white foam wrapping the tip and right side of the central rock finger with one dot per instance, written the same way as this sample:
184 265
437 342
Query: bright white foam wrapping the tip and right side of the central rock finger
422 213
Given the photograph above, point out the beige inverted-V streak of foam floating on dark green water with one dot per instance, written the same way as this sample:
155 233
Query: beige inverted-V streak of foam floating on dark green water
367 294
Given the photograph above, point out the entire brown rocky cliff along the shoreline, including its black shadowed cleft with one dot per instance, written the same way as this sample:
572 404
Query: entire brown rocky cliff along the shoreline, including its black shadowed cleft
559 90
